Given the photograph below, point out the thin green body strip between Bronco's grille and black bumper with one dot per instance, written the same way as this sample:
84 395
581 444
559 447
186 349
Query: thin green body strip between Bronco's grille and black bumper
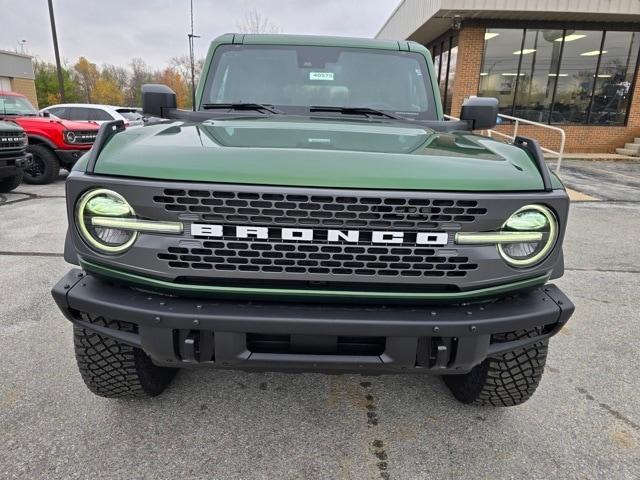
309 295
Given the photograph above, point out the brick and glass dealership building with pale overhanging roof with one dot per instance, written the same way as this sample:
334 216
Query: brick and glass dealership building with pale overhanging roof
567 63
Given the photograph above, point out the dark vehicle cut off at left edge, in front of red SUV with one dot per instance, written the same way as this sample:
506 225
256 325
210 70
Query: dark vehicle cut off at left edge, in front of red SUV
13 156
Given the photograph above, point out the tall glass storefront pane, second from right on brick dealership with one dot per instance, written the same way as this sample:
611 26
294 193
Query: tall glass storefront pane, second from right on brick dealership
576 76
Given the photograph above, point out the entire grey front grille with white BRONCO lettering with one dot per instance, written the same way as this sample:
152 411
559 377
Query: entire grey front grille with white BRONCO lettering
225 254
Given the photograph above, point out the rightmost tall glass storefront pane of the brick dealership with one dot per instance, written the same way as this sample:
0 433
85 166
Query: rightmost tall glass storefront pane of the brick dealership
615 78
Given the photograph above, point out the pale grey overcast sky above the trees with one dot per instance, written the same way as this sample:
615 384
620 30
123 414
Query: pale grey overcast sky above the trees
114 31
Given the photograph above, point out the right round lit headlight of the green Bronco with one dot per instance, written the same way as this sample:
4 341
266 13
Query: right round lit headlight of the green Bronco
531 218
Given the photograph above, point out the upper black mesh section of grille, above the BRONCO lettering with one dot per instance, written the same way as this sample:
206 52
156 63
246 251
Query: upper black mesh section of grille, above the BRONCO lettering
237 207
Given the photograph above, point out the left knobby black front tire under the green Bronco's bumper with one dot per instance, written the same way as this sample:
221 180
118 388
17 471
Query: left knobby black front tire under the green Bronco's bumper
115 370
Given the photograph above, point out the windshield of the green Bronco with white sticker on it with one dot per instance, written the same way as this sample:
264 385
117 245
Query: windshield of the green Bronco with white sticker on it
294 78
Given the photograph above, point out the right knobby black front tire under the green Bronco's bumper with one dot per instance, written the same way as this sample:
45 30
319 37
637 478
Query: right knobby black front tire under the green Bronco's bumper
504 381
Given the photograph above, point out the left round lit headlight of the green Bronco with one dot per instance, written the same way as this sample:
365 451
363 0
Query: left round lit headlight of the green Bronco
104 203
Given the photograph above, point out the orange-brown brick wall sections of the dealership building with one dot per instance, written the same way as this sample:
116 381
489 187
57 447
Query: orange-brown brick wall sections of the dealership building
579 138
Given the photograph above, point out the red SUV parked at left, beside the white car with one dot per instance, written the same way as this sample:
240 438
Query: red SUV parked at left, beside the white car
53 143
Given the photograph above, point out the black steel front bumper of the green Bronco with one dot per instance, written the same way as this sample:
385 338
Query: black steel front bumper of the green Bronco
289 336
